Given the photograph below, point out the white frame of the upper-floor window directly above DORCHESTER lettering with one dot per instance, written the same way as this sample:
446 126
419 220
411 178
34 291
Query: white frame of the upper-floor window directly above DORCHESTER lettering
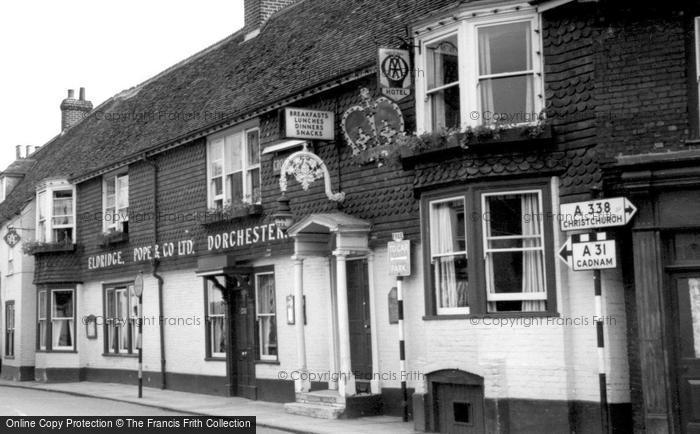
245 167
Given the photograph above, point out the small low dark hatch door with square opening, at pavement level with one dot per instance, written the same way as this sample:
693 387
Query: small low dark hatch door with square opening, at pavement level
460 408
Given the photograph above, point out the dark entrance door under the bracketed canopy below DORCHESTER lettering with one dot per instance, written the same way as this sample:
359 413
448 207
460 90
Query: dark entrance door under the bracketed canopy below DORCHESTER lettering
244 345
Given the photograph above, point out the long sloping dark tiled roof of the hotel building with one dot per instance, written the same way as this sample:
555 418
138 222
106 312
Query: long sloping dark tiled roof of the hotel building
302 47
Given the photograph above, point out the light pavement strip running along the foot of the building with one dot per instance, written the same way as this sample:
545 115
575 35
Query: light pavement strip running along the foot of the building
268 414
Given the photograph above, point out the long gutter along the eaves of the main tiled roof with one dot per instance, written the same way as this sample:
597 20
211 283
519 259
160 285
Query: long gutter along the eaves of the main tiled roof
368 70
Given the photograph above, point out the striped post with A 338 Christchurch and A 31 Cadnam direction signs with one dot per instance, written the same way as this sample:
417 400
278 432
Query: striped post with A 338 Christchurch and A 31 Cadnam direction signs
595 251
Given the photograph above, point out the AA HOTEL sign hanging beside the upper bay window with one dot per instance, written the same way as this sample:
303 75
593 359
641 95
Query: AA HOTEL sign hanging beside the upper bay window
395 80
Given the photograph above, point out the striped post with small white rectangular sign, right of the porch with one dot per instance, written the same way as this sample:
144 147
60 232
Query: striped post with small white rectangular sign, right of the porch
400 266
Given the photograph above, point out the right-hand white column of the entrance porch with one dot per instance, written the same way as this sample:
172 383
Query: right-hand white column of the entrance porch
346 384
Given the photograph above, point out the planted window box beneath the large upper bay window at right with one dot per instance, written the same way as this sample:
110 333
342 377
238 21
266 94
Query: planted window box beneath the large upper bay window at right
509 140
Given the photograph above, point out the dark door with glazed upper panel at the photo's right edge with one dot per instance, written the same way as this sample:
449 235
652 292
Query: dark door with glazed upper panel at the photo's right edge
687 289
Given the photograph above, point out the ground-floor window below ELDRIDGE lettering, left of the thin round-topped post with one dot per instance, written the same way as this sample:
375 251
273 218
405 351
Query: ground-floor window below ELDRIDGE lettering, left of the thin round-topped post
121 314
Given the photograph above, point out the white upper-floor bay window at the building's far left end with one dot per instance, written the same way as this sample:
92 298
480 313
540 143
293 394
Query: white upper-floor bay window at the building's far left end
56 212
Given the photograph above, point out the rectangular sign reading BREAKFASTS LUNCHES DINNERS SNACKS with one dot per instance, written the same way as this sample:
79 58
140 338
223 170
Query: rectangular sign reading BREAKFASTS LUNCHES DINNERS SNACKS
301 123
